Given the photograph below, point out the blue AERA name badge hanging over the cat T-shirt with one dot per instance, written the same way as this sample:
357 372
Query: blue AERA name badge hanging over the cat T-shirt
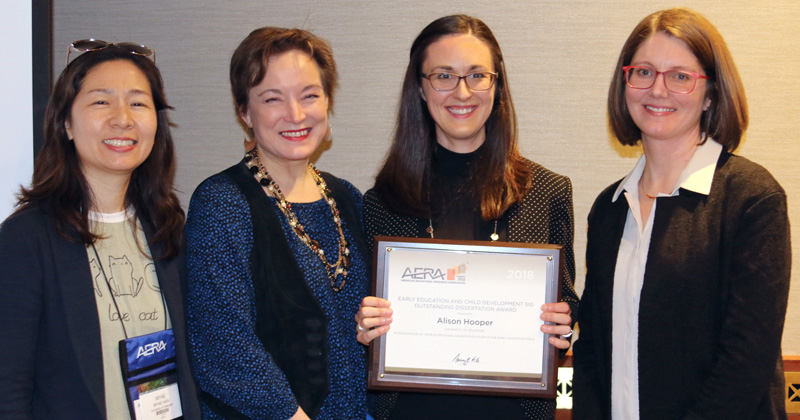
150 376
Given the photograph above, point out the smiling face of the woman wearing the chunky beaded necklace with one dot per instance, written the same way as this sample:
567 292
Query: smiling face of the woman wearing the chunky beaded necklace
288 110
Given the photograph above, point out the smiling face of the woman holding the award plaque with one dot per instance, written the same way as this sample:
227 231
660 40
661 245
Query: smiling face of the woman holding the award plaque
460 114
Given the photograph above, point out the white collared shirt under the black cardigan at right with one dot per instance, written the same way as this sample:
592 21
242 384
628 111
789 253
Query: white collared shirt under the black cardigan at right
629 274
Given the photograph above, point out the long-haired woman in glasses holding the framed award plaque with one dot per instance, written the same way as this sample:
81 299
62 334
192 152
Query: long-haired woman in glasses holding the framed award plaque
454 172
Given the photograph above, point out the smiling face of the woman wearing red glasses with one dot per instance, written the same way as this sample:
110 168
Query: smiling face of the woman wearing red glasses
659 113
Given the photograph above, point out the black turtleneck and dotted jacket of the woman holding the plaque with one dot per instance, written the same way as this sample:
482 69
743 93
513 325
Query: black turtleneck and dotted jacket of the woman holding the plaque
543 216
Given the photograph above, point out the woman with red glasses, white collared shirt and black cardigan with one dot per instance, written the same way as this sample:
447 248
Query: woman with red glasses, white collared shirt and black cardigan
688 256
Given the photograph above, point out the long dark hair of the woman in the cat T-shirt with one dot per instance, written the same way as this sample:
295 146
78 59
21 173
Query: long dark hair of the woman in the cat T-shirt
59 187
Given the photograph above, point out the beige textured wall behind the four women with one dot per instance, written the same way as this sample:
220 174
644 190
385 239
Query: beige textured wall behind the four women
559 54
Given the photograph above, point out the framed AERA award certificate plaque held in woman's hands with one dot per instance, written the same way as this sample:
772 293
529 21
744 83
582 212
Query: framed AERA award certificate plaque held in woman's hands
466 317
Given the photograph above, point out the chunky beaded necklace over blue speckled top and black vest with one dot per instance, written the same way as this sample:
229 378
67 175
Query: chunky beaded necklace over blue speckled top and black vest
343 261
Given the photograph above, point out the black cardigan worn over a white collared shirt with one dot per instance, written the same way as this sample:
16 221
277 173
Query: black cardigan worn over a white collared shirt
712 304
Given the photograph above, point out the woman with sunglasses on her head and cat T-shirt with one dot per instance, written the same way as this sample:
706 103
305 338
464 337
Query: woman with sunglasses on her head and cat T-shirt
91 257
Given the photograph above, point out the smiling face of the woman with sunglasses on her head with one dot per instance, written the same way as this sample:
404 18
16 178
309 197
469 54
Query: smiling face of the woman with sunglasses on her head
113 120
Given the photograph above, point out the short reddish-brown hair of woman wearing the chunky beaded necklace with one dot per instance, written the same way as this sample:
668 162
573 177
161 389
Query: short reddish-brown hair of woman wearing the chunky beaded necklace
249 61
